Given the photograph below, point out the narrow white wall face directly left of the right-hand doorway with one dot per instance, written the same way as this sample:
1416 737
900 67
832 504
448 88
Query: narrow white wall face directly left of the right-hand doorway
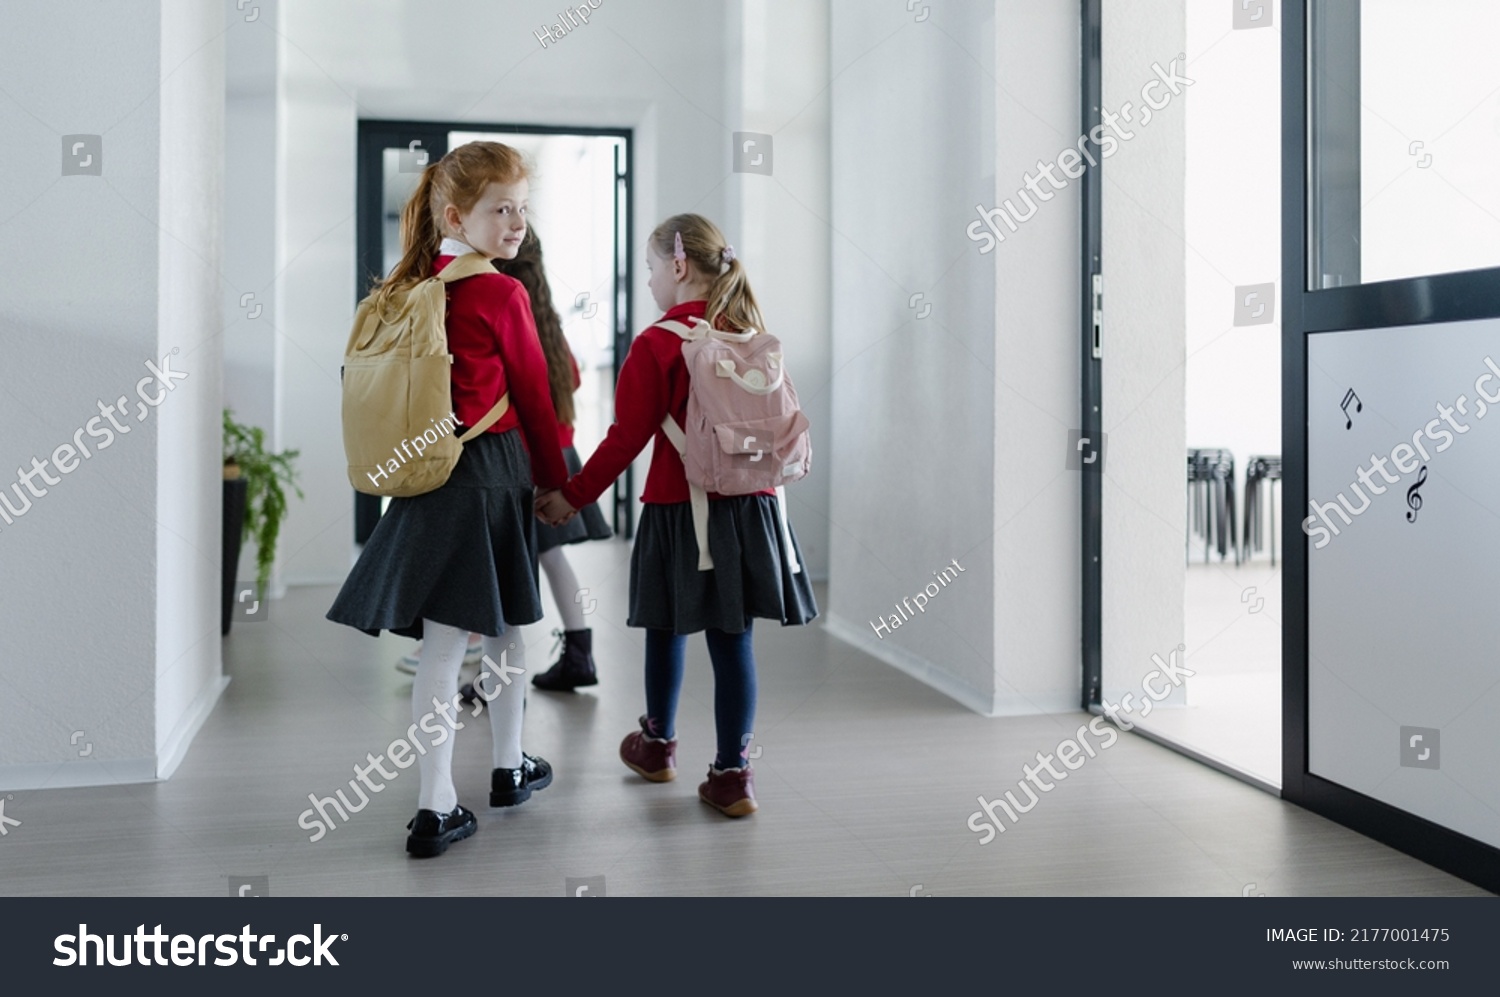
1037 512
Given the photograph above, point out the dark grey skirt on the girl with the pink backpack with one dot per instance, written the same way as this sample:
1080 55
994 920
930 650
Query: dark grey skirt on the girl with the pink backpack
752 578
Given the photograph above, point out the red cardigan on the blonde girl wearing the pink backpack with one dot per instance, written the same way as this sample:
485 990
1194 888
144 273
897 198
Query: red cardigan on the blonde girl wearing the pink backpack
653 383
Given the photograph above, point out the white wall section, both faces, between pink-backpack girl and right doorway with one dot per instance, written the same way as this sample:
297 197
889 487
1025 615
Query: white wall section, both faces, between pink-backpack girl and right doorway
950 428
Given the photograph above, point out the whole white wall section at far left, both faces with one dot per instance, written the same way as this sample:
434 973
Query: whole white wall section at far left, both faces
109 584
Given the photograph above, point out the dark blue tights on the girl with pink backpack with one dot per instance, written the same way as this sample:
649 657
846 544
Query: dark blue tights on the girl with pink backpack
734 687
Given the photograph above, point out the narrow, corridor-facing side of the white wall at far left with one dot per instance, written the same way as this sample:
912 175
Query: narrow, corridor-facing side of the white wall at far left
190 479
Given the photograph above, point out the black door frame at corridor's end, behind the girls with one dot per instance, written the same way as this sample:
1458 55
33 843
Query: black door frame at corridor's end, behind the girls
377 136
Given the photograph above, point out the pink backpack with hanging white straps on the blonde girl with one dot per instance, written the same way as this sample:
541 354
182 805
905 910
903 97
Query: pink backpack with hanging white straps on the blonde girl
745 428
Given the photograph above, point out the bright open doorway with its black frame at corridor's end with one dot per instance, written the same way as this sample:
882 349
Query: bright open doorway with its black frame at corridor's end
580 208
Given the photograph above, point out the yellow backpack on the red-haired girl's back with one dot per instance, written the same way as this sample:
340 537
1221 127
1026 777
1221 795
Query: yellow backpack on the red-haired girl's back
398 391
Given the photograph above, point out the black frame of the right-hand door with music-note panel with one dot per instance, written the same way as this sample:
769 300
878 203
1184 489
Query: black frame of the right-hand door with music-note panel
1412 302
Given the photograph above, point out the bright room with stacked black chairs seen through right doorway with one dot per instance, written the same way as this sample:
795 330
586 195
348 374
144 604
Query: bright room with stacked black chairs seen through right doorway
1232 235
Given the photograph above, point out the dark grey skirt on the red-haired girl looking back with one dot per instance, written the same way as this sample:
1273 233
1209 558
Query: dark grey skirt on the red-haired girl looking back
464 555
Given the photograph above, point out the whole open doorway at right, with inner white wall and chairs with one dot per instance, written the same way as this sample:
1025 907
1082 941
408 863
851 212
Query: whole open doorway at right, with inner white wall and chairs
1186 557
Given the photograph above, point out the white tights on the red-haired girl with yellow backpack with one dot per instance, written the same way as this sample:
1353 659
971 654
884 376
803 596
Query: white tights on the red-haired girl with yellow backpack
500 686
